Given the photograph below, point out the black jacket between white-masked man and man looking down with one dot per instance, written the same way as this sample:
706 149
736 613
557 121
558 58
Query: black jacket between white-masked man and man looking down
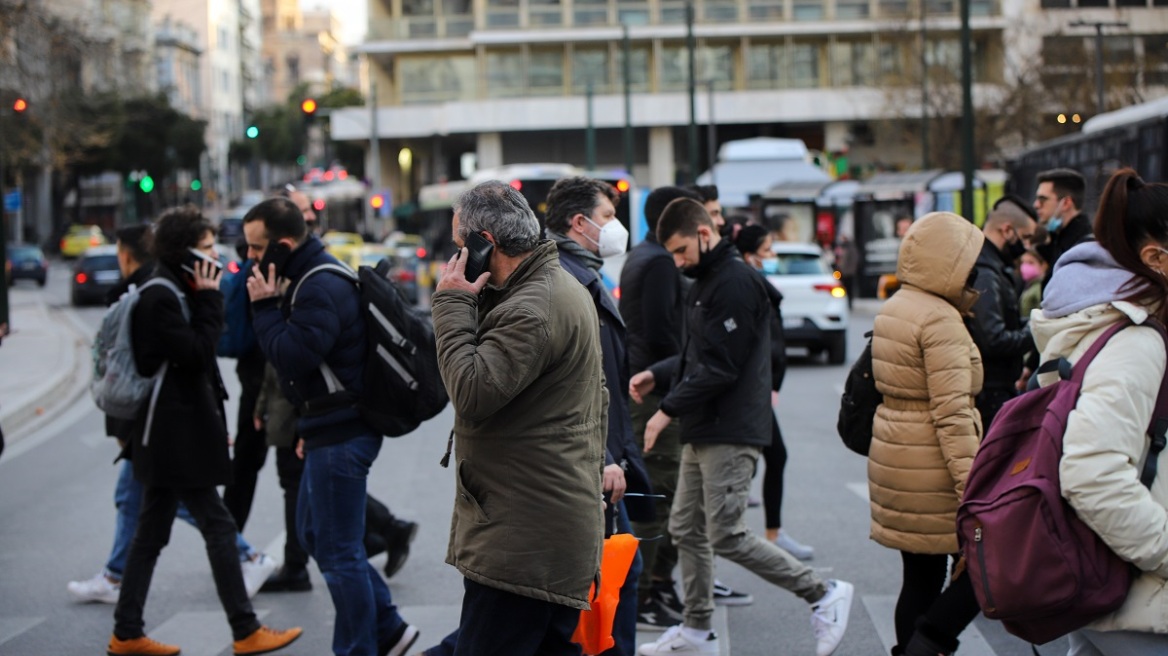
651 303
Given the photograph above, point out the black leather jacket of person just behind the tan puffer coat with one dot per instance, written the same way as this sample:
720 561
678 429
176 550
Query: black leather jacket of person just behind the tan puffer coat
997 325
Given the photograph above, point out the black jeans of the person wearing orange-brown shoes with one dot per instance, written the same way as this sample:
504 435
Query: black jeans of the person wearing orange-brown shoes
159 510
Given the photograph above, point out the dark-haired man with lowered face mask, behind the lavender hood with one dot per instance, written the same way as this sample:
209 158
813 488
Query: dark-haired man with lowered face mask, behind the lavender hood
1059 201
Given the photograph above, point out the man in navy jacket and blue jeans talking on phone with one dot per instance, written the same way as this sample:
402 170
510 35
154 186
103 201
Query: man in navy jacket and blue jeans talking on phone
323 333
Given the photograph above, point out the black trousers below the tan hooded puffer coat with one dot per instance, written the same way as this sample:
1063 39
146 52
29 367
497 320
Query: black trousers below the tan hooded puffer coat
942 616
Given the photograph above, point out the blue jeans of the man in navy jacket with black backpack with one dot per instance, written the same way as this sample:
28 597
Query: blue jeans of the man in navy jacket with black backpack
331 520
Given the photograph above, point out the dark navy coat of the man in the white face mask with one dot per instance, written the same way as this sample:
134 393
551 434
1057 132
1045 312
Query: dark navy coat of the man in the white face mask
621 446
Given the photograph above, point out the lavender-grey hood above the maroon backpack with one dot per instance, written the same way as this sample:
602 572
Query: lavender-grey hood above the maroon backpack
1086 276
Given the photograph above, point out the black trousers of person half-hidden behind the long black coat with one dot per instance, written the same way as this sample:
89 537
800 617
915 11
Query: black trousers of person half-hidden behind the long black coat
251 449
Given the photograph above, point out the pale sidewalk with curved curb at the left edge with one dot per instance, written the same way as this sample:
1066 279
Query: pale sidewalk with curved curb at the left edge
44 362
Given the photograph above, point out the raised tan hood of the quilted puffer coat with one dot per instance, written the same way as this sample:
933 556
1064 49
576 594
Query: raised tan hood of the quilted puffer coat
937 256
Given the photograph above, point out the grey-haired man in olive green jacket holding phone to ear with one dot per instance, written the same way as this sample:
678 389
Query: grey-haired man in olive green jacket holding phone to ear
519 350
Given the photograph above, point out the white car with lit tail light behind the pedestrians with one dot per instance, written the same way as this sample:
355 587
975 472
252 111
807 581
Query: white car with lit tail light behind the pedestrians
815 303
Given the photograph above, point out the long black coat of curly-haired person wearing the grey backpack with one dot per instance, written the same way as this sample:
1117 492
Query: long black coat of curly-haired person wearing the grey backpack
187 445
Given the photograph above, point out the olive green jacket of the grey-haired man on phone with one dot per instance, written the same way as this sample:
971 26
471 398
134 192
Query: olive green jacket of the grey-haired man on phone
524 368
